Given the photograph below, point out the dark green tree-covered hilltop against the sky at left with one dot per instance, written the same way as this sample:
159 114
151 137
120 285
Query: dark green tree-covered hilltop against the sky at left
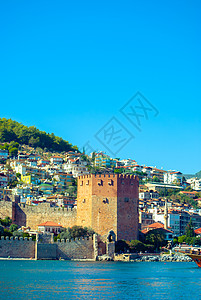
12 131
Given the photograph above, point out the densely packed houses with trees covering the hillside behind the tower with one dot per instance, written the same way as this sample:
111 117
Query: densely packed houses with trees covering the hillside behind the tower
167 200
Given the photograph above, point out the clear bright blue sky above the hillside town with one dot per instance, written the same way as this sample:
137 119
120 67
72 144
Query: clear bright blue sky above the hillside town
123 77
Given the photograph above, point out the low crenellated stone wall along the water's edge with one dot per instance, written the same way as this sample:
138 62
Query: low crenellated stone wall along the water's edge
82 248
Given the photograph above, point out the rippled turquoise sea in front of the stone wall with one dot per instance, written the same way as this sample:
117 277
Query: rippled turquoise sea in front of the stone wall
98 280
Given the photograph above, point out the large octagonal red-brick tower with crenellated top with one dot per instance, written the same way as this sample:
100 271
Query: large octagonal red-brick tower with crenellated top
109 202
